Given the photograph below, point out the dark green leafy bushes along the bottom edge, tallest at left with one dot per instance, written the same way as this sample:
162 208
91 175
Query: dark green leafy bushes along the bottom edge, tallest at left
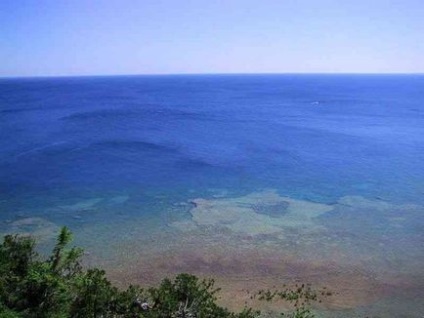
59 287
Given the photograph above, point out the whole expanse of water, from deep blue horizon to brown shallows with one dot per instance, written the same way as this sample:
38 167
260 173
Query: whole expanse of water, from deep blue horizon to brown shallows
256 180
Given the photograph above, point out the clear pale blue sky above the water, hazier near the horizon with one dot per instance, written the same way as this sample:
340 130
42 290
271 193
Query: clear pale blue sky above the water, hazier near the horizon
82 37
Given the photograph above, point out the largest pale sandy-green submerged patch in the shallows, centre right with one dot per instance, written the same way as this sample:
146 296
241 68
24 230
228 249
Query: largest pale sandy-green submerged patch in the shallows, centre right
258 213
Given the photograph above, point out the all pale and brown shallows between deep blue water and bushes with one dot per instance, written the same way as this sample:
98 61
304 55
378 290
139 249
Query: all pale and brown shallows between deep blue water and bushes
307 243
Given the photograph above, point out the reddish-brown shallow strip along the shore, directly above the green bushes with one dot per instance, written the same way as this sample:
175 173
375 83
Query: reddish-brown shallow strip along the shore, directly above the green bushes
351 288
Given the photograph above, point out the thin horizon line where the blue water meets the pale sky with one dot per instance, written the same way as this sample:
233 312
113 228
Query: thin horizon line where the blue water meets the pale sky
207 74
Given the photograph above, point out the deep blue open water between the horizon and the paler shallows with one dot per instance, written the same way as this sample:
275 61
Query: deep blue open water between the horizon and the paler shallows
64 141
